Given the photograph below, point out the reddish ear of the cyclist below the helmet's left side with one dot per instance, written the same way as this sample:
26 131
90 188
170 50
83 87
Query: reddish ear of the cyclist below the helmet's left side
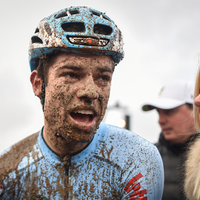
36 84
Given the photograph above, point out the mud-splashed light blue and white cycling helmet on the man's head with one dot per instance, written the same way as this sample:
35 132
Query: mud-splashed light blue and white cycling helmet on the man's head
80 30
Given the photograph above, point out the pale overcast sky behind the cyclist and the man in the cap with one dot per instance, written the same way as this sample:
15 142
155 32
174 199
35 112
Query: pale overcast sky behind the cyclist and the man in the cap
161 43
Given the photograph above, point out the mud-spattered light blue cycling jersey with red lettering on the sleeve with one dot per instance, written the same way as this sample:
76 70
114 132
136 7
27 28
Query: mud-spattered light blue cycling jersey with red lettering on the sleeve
117 164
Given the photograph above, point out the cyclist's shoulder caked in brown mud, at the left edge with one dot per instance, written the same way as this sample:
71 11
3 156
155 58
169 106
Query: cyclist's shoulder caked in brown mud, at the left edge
10 158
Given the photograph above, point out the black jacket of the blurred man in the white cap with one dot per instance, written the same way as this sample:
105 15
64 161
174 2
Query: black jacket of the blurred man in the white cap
173 156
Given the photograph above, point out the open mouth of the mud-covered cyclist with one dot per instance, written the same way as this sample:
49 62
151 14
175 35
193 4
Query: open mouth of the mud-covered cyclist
83 116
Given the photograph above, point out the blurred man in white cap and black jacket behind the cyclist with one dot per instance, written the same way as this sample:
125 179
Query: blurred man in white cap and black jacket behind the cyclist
174 105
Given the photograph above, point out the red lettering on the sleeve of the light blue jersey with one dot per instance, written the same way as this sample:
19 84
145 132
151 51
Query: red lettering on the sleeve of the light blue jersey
133 187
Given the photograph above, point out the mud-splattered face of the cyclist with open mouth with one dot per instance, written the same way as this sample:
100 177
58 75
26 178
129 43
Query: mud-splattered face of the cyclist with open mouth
76 95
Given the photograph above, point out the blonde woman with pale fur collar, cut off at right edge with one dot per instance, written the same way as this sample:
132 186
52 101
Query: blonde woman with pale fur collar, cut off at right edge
192 166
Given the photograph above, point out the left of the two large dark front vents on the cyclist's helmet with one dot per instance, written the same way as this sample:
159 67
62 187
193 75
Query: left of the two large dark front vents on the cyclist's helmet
74 27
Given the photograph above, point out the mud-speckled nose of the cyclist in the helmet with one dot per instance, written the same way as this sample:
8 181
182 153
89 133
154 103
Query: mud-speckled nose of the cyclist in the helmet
88 89
